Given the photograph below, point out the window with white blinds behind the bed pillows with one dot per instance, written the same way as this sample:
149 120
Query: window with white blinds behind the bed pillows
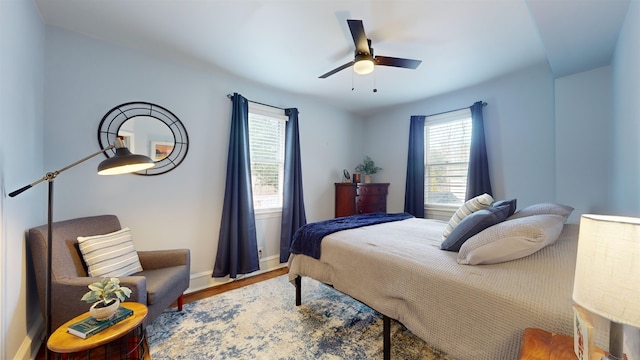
447 143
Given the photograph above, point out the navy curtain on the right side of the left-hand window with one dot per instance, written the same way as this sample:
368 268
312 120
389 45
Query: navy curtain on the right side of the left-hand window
293 214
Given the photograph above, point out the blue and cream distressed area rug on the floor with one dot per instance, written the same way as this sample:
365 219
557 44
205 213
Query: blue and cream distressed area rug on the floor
261 321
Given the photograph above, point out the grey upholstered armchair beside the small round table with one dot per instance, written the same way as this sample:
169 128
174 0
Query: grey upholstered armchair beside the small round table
164 278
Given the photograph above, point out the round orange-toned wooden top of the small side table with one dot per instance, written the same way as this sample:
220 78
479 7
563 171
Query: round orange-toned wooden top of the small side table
63 342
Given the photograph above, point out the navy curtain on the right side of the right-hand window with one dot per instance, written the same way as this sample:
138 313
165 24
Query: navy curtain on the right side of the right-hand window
478 181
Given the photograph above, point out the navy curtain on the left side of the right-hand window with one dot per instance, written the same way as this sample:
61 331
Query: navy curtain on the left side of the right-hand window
414 188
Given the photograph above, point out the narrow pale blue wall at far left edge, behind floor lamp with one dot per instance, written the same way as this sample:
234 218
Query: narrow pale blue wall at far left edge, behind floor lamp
21 163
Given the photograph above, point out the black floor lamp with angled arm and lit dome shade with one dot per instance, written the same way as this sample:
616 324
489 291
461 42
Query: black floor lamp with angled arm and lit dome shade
122 163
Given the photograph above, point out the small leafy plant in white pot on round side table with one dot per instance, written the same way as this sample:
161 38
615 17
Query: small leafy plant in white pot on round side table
105 295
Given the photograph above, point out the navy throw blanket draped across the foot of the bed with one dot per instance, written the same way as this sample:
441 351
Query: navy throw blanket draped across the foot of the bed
307 238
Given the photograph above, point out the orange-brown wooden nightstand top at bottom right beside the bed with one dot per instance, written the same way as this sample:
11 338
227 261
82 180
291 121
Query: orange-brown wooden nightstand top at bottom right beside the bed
538 344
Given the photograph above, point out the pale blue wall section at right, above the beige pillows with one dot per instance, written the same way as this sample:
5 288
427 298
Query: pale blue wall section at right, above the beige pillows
584 130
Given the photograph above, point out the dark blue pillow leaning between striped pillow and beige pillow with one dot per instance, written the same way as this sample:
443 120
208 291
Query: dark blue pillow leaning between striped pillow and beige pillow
474 224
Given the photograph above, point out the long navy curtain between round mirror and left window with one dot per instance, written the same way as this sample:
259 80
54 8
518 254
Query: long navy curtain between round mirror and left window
237 244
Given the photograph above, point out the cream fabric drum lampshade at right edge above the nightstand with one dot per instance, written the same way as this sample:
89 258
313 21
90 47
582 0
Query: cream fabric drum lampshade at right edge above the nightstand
607 277
